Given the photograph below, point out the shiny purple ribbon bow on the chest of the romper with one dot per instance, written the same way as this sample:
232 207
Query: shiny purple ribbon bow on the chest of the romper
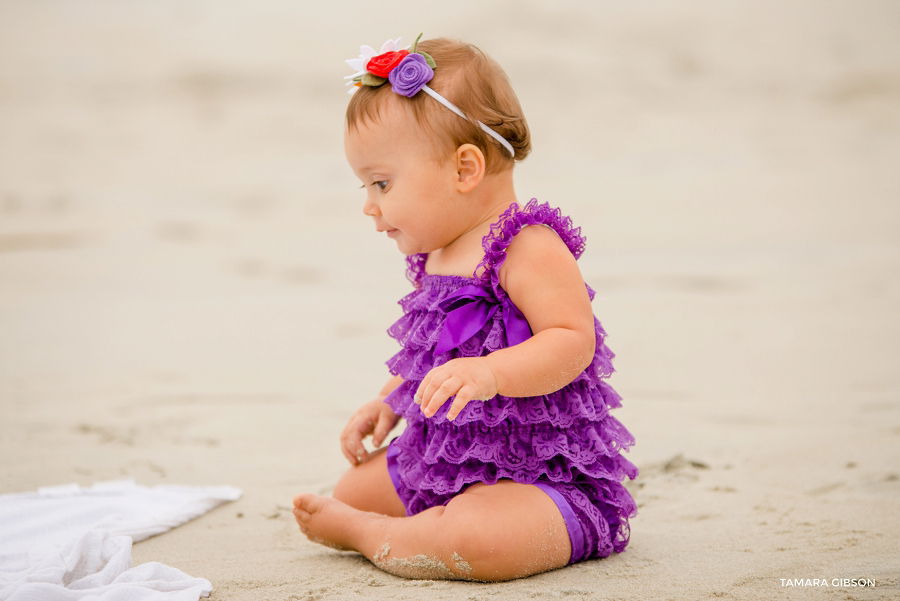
469 308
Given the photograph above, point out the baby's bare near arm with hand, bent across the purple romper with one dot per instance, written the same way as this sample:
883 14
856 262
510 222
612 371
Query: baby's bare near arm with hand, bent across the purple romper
542 279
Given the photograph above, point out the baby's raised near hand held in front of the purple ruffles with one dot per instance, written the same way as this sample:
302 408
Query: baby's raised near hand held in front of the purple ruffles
469 378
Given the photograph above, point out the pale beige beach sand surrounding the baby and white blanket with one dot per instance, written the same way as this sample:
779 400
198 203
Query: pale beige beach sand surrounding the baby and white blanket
189 292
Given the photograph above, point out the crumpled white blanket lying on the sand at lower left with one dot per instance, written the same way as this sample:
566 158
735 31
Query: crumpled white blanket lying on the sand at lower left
66 543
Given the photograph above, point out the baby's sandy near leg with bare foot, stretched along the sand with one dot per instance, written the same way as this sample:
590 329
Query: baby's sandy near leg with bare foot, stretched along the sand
498 532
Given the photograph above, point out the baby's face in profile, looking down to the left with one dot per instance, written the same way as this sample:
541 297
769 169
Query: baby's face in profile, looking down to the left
409 194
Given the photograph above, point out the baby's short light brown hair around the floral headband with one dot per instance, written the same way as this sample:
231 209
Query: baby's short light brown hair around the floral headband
472 81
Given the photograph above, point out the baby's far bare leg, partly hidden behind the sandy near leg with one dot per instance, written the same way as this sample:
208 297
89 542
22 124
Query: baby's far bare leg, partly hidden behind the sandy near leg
368 487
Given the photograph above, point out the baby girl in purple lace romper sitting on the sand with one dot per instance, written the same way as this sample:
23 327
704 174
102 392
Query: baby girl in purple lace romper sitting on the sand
510 463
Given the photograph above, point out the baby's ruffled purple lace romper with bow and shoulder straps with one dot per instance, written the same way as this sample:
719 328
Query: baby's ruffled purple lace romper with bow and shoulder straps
565 442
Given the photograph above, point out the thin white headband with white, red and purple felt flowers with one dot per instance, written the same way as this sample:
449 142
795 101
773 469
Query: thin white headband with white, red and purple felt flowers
408 72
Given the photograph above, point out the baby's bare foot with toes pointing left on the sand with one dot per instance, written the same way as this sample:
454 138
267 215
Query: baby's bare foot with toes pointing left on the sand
327 521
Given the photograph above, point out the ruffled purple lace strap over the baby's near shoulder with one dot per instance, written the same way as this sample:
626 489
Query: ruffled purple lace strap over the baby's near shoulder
511 222
